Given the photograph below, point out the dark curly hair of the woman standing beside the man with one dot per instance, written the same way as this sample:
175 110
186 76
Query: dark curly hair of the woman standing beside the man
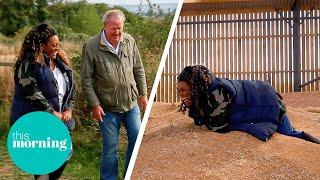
36 37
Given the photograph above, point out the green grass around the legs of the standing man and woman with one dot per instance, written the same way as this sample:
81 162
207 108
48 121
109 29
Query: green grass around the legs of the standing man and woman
84 163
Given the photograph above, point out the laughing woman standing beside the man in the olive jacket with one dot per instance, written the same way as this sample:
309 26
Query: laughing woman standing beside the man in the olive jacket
43 81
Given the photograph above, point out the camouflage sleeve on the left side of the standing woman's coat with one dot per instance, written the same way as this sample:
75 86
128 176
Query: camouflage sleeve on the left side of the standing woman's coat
27 79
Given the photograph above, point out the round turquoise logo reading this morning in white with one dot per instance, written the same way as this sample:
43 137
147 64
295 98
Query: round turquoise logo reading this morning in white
39 143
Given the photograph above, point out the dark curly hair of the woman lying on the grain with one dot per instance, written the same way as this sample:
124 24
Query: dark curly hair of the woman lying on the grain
198 78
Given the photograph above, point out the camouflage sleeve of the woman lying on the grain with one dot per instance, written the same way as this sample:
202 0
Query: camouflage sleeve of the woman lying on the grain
217 110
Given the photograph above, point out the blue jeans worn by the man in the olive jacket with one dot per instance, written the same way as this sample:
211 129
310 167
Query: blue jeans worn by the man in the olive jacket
109 130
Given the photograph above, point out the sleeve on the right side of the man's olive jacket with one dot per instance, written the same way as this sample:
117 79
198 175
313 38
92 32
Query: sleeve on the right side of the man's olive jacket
138 71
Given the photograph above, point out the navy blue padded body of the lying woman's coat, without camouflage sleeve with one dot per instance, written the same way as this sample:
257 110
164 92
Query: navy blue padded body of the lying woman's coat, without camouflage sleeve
254 108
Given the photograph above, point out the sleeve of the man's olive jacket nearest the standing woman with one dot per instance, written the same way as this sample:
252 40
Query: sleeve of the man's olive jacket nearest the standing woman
87 77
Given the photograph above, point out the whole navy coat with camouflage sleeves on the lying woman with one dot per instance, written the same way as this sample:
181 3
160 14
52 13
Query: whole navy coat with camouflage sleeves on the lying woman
240 105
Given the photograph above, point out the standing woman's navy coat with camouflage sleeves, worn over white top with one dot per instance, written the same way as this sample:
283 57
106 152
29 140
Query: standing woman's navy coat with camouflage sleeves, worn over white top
36 88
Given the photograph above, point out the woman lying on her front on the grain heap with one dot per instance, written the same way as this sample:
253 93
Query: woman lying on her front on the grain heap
224 105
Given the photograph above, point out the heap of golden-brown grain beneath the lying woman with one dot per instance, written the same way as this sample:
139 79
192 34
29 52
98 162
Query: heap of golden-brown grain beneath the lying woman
174 148
